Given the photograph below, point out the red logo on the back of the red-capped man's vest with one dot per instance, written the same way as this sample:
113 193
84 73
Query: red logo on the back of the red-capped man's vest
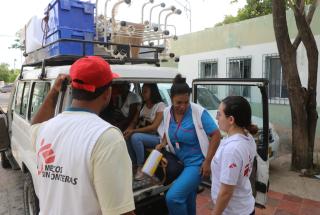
45 156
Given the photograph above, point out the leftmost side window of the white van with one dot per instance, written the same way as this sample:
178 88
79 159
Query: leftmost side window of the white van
21 101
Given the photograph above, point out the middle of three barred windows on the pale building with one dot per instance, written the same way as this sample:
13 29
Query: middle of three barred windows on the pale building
239 68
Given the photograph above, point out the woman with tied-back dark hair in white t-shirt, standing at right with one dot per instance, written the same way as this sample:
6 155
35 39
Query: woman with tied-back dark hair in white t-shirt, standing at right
232 164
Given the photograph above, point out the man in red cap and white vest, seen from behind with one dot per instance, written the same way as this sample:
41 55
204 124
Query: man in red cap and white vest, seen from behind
83 164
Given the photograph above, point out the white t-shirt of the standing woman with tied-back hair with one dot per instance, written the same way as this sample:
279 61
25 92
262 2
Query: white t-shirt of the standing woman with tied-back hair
232 165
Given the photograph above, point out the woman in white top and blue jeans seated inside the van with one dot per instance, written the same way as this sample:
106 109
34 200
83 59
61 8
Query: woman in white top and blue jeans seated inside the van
143 129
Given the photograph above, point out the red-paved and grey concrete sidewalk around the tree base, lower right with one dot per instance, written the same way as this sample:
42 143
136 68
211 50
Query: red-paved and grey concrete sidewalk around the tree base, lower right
295 195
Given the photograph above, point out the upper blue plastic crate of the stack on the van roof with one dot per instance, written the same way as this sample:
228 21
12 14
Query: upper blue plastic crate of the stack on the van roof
71 14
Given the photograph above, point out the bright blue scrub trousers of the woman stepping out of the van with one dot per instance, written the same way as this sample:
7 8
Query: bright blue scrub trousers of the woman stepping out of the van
181 197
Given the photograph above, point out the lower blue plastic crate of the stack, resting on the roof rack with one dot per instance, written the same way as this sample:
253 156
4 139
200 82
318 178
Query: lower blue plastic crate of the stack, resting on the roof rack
70 48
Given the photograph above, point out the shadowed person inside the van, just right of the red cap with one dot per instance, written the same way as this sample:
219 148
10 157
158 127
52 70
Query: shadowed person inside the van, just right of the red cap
124 105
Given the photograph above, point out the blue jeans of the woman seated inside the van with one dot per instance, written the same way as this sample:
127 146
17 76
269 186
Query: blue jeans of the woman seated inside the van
138 142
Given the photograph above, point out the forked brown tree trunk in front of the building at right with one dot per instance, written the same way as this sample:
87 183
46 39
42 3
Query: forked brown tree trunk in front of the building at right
302 101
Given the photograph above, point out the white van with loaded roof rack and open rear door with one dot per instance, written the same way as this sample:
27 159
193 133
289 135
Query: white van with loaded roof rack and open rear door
32 87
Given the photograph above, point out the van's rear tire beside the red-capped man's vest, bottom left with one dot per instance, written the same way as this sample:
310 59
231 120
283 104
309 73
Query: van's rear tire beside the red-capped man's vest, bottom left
30 199
